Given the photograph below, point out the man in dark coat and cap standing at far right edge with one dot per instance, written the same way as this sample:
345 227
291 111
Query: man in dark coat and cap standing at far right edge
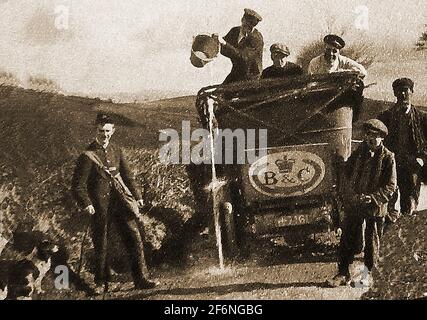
407 139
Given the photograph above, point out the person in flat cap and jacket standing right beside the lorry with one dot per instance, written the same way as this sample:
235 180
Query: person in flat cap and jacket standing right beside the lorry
370 182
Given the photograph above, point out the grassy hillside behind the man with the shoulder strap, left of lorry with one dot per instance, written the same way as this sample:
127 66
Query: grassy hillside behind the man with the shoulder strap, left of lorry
42 135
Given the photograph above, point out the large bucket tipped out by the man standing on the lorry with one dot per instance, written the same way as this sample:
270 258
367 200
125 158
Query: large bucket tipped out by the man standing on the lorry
205 48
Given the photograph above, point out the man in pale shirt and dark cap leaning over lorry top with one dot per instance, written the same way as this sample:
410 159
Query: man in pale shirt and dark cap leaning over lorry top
332 61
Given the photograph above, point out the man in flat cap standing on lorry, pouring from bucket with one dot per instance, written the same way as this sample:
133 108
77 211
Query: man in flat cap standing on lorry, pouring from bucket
244 46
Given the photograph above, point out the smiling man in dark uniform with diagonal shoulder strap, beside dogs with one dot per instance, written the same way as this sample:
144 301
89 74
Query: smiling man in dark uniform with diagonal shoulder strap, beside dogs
93 191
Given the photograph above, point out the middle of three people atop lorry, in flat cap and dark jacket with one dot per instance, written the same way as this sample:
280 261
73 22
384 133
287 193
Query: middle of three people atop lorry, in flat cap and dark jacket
281 68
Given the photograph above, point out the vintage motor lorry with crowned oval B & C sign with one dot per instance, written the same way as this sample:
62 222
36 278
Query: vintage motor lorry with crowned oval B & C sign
294 186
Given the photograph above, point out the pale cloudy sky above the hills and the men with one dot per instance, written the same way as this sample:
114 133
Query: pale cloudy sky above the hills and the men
110 46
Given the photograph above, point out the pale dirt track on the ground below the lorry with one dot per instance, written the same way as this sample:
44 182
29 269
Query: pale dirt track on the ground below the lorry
269 274
